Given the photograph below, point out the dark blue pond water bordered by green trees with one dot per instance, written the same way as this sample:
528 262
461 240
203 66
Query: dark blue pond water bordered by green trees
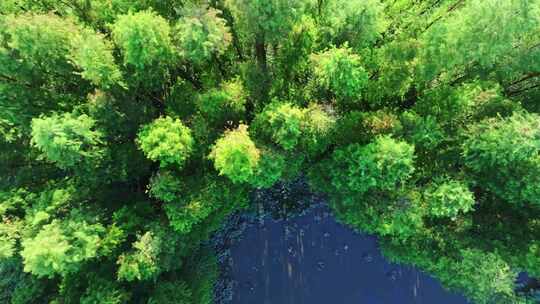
313 259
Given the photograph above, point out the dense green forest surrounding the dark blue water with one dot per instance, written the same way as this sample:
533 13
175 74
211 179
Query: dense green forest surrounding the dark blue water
130 130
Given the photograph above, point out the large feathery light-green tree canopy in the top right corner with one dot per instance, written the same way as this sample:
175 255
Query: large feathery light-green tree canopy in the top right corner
478 38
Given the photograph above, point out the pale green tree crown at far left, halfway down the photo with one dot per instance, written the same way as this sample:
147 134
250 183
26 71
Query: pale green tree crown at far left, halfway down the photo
66 139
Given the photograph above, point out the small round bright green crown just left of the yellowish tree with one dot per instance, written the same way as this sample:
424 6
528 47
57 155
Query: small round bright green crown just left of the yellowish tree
166 140
